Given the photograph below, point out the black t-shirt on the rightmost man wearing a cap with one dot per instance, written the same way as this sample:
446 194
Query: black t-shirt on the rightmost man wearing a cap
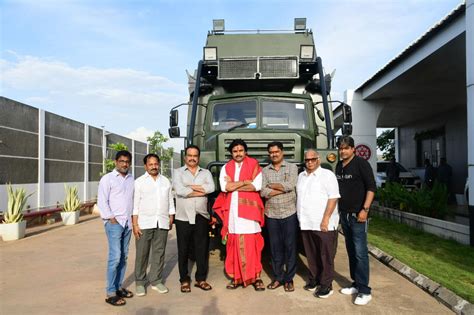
355 179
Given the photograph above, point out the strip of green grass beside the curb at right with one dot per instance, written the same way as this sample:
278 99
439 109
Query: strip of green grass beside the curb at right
444 261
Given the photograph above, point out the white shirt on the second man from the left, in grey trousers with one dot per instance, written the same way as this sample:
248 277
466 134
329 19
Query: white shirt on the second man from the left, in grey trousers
153 202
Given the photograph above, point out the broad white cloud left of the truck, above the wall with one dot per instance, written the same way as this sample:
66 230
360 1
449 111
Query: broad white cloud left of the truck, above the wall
113 97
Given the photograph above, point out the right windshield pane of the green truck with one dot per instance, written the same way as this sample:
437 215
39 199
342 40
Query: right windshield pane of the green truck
279 114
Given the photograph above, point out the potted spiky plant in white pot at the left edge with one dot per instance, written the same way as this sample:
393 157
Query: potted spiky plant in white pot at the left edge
14 226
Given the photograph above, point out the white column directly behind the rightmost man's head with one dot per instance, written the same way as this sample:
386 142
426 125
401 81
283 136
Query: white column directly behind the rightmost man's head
364 124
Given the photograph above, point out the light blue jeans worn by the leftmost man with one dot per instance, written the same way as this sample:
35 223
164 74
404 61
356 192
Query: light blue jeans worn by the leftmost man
119 239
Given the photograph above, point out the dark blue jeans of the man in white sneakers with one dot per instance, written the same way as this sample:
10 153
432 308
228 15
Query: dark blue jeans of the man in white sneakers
355 234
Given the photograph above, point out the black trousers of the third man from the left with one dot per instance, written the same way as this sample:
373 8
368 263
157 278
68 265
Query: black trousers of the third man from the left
193 243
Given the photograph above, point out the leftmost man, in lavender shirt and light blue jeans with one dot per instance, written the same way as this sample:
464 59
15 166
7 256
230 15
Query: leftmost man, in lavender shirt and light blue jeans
115 201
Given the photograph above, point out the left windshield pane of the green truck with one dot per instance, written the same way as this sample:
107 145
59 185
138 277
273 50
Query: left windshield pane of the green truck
228 115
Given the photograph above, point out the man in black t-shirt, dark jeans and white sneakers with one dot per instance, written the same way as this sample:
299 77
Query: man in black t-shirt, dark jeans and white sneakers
357 189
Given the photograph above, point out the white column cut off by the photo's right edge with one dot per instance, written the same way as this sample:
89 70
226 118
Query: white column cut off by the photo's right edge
470 108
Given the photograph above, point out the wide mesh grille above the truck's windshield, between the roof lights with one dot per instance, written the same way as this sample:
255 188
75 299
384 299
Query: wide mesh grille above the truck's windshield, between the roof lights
267 67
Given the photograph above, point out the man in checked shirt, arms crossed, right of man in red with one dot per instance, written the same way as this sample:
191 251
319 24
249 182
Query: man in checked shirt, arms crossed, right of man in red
279 190
